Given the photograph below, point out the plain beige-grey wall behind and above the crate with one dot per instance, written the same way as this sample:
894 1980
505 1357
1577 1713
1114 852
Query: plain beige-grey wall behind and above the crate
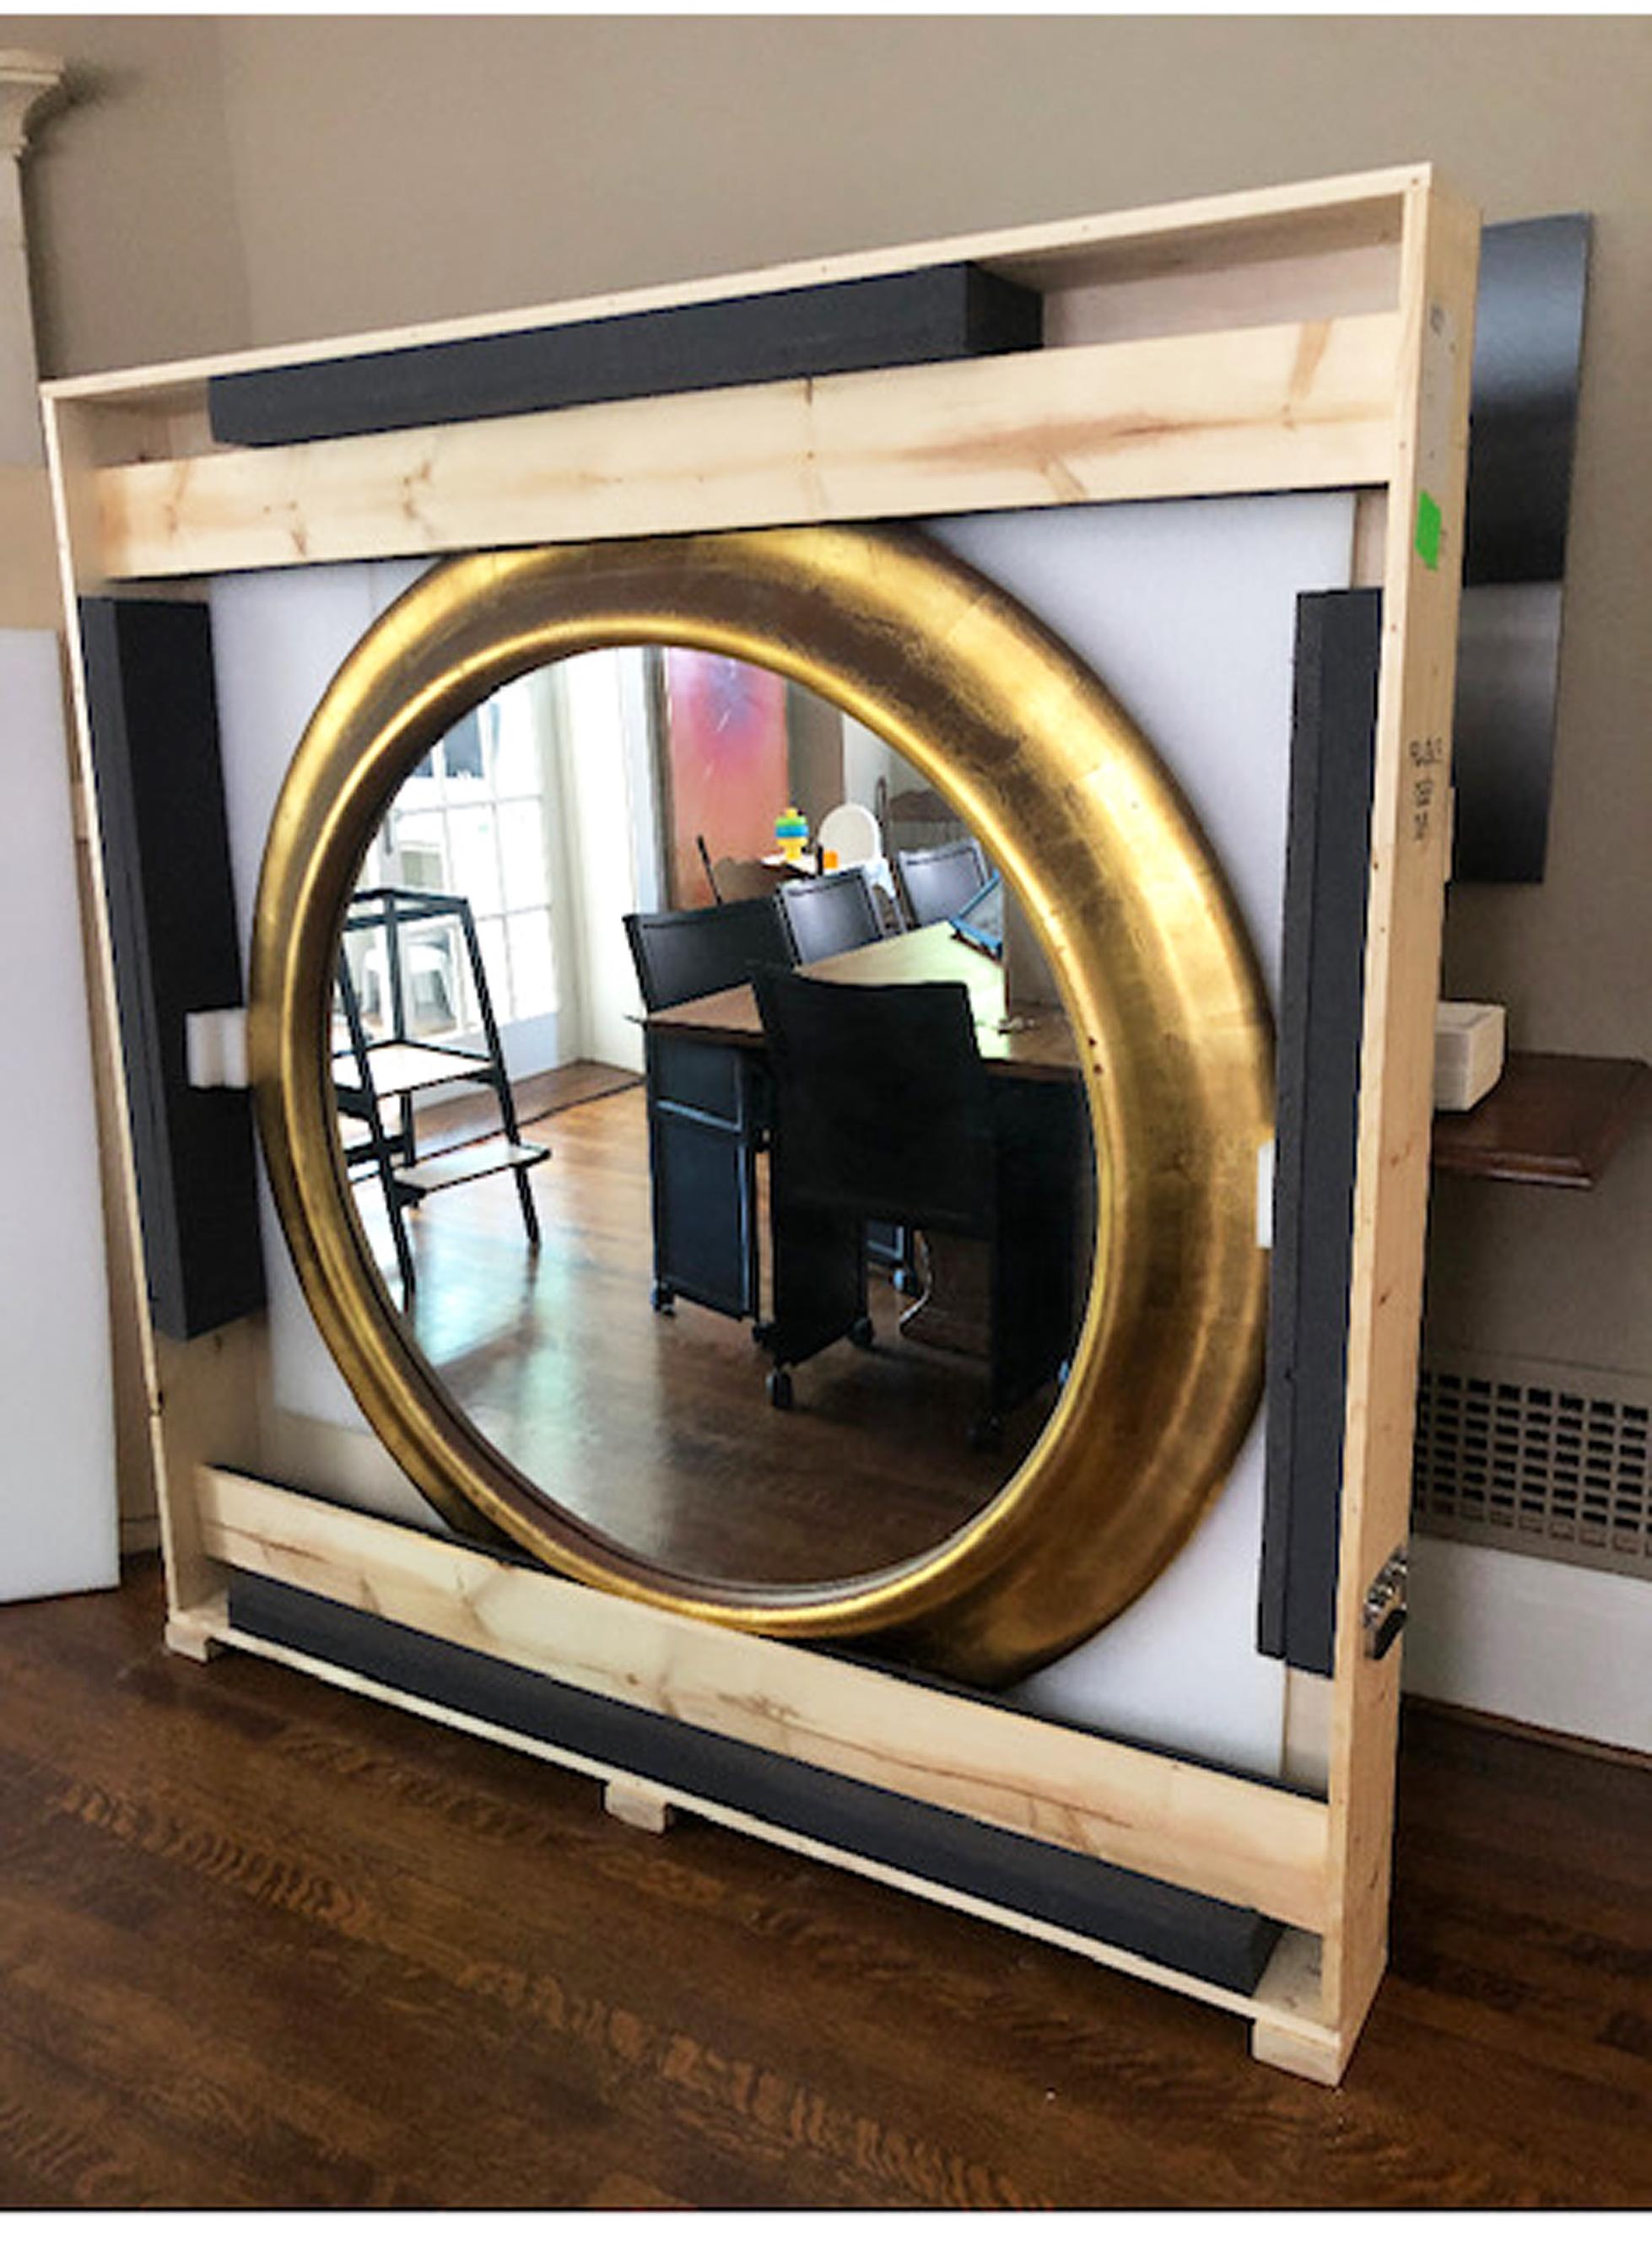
264 179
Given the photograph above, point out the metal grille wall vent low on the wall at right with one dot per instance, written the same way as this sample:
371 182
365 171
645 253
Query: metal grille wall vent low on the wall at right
1536 1457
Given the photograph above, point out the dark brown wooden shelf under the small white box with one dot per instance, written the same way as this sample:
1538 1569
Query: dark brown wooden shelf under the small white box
1552 1122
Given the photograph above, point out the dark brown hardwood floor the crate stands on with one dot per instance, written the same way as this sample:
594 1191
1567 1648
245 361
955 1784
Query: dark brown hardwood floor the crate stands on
264 1945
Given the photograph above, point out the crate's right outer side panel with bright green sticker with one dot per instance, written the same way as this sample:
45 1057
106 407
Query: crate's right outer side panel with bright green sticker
1410 845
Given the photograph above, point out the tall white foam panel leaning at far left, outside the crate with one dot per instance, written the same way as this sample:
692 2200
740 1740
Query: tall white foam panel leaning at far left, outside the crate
60 1515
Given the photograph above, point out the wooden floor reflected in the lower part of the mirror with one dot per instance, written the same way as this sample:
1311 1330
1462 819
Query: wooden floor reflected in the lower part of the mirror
656 1428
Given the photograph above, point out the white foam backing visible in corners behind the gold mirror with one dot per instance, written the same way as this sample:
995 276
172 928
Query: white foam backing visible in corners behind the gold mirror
1187 611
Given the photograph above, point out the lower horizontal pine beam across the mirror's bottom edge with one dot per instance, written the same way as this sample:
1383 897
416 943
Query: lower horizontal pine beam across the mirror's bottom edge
1210 1833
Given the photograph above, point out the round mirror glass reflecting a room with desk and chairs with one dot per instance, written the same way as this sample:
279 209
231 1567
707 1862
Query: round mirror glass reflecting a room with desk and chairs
627 1236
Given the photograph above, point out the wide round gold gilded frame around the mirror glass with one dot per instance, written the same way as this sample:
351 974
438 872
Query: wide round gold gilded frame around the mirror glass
1156 969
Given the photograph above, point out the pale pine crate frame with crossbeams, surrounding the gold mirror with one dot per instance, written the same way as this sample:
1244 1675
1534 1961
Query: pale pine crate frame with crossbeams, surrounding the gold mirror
1352 395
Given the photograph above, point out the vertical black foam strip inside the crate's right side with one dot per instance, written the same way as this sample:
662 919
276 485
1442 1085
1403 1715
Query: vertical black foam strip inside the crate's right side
1318 1119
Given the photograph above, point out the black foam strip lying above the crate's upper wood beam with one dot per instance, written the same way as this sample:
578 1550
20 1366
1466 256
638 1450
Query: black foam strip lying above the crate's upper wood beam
838 327
